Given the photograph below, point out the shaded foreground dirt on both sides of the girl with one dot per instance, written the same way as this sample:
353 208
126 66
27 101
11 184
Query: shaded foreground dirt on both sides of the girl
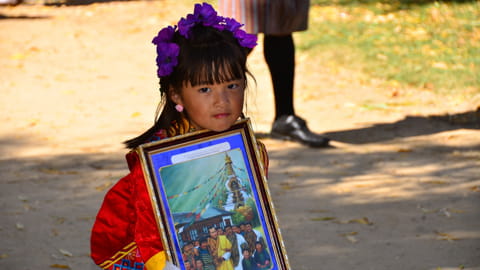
64 192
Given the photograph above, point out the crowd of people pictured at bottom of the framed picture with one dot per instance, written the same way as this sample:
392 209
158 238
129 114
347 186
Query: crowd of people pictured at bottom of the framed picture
233 247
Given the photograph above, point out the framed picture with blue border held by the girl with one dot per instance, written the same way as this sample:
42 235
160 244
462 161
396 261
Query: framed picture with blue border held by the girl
211 200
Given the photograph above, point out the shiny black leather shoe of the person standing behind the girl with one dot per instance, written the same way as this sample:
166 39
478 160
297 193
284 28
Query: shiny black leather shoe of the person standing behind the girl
294 128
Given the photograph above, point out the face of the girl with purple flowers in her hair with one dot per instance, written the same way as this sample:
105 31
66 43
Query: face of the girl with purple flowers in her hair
212 106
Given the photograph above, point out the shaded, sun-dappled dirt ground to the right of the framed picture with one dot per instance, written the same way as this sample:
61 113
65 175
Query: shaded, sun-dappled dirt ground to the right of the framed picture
420 206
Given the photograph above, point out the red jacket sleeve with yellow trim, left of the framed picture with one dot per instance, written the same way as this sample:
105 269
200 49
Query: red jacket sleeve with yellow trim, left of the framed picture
125 231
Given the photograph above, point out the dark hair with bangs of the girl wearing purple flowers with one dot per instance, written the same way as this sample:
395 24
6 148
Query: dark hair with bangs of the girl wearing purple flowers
208 56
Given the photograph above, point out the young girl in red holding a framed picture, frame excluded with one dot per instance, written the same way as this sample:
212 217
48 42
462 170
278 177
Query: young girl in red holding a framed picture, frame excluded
203 75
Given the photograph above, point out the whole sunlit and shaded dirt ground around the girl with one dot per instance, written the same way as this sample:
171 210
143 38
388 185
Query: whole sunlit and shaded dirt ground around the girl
399 189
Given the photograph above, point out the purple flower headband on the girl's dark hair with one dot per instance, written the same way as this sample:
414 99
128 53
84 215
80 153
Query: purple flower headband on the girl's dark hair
167 50
